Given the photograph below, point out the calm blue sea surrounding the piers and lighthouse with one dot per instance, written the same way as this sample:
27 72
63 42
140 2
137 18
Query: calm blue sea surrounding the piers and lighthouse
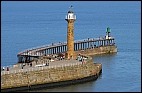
30 24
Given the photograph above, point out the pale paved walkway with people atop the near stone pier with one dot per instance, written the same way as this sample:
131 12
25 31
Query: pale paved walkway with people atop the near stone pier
41 65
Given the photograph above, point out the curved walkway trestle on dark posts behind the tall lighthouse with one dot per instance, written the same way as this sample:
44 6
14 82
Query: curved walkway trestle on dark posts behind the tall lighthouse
29 54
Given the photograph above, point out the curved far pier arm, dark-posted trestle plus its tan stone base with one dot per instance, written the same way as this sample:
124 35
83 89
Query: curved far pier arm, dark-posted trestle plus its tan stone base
90 46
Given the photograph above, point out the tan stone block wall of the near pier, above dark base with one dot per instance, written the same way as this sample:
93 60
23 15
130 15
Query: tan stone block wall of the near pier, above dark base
50 75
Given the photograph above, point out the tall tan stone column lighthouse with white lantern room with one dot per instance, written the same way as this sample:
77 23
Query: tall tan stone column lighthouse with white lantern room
70 18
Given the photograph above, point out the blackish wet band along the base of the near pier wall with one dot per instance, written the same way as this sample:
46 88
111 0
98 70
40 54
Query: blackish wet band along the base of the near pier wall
54 84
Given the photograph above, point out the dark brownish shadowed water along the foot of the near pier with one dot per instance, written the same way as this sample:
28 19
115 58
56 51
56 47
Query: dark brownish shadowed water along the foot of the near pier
77 87
